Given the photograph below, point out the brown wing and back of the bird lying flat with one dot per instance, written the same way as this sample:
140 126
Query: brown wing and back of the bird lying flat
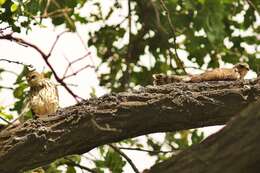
217 75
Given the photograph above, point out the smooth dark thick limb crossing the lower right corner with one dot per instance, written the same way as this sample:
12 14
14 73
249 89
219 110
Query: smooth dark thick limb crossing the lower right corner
235 149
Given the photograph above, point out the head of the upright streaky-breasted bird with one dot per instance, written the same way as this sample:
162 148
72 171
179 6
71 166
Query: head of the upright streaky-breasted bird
34 79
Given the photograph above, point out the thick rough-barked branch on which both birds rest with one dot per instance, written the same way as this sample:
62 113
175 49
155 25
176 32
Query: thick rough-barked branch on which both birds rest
151 109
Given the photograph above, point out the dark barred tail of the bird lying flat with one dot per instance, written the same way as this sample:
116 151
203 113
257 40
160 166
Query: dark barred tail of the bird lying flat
162 79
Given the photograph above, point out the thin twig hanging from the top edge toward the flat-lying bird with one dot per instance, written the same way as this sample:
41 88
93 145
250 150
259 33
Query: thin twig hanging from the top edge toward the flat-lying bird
177 58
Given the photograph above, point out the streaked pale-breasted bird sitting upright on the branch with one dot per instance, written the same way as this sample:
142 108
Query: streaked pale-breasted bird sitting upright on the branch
43 97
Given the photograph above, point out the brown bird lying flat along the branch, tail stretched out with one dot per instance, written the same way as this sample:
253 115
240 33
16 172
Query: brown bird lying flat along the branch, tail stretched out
220 74
